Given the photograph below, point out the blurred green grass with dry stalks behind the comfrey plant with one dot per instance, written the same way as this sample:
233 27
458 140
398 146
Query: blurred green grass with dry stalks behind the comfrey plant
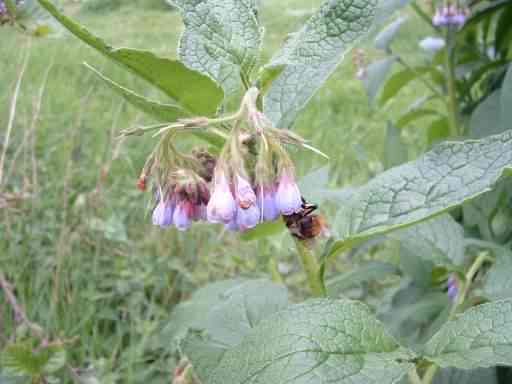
75 238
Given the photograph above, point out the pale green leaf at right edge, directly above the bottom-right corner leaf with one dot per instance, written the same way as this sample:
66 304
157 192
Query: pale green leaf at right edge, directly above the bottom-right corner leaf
498 284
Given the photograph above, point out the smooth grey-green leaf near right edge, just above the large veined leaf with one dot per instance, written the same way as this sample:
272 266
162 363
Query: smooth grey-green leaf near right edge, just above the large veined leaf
486 118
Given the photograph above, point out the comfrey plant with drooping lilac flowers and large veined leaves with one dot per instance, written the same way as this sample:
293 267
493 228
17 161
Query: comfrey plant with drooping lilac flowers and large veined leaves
451 311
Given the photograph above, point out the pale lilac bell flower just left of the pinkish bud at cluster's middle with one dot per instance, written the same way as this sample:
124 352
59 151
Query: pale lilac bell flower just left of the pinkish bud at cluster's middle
222 207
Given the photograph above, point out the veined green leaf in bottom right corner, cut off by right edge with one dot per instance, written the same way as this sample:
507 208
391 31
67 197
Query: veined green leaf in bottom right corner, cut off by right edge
479 337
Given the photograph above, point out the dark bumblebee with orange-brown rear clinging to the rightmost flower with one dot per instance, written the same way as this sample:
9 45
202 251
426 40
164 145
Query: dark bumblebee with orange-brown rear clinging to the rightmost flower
304 224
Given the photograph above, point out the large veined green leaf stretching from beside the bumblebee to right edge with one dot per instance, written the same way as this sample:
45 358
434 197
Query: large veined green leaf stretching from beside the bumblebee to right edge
447 176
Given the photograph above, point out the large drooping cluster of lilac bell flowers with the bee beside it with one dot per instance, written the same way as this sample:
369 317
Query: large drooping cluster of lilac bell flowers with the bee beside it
251 181
